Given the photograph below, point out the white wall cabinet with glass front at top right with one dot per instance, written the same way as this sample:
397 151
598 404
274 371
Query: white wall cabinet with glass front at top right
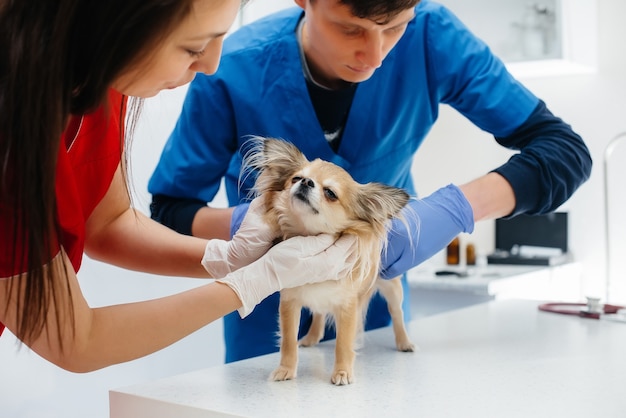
535 37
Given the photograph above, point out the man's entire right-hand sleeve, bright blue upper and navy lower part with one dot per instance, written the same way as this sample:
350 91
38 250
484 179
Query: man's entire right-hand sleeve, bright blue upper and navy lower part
553 160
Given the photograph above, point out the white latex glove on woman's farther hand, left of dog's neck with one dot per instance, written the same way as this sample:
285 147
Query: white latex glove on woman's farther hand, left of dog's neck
251 241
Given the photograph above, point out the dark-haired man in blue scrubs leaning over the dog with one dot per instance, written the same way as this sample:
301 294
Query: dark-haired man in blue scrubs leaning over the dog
358 83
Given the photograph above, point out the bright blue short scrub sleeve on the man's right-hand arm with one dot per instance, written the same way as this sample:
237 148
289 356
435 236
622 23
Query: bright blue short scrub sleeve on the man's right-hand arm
466 75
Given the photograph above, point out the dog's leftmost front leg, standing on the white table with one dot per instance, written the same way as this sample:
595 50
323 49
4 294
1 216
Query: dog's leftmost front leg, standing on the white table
289 312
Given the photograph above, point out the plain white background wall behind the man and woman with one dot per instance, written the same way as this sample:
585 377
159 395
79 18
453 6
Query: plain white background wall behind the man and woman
595 104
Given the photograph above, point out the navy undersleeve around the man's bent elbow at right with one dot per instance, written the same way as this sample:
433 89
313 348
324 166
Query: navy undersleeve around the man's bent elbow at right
552 163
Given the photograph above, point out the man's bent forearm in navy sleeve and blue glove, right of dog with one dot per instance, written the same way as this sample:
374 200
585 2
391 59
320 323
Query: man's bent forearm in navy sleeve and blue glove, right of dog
552 163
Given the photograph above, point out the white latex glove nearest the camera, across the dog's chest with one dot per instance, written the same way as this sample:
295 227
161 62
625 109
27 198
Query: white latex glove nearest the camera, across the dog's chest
291 263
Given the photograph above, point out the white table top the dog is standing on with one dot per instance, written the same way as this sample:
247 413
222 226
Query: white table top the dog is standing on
501 358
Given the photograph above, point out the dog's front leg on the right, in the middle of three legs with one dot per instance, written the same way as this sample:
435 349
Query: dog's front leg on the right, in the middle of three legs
346 318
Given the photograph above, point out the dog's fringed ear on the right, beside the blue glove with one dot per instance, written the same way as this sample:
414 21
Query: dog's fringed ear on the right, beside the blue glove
378 202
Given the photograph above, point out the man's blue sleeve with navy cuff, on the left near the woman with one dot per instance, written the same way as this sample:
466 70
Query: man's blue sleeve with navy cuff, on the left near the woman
195 158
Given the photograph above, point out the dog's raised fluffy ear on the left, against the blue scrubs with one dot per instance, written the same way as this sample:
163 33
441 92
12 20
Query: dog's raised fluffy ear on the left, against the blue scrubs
275 160
